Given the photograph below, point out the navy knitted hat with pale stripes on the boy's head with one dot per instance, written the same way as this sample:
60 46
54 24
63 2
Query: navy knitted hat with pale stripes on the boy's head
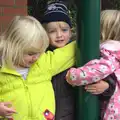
56 11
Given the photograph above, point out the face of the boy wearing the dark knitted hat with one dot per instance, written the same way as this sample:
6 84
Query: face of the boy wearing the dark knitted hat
59 33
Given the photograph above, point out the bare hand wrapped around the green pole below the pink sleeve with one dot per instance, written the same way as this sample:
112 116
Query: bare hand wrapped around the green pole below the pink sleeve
97 88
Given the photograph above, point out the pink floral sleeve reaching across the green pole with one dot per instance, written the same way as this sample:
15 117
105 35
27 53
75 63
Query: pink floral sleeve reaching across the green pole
93 71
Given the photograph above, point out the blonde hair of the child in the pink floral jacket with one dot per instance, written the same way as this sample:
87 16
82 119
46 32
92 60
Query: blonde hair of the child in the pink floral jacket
110 25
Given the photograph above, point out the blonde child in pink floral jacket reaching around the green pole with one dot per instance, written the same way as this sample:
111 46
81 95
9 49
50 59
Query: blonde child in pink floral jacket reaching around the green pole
109 63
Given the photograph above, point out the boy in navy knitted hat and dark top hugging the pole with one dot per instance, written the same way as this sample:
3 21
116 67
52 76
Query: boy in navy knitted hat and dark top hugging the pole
58 26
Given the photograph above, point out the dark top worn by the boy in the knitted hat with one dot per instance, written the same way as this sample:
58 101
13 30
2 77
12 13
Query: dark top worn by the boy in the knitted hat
64 97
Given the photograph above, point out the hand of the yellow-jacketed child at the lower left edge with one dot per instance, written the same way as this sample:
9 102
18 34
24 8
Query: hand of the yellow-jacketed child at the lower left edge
6 109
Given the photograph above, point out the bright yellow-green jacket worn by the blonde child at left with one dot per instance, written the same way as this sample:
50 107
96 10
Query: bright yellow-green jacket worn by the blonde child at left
33 98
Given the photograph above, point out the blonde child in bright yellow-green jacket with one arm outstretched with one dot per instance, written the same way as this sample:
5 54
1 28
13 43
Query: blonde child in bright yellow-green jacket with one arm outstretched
26 70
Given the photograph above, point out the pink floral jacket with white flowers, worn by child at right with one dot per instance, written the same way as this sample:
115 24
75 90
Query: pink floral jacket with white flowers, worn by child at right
98 69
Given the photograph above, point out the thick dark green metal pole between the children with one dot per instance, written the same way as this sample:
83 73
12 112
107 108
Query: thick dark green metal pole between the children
88 22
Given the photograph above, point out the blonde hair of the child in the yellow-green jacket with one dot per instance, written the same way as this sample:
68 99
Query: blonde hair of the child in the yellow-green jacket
22 36
